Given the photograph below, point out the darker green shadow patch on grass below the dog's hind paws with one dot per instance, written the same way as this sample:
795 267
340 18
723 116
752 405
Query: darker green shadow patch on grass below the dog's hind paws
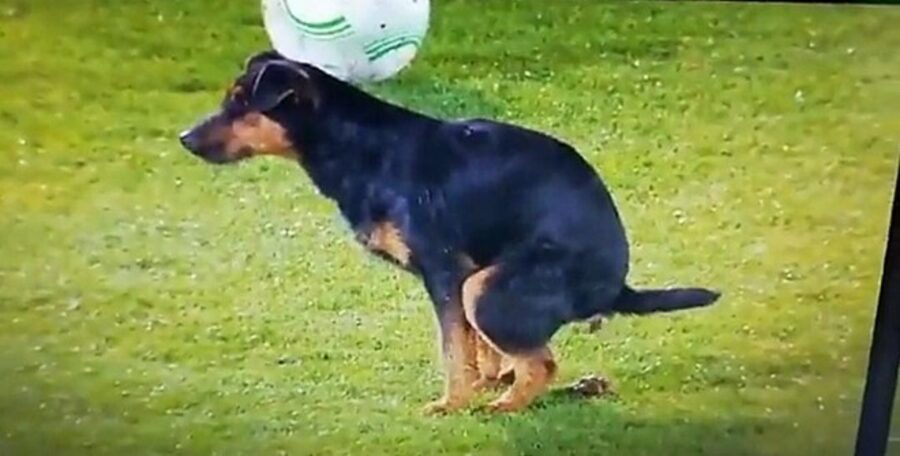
562 424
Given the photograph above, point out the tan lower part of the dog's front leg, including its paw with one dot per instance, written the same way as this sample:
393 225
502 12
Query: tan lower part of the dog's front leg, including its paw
460 368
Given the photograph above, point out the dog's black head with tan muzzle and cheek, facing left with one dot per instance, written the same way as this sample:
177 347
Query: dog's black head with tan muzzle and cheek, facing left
259 114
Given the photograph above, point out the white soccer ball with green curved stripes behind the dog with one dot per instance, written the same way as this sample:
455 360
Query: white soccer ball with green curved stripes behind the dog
354 40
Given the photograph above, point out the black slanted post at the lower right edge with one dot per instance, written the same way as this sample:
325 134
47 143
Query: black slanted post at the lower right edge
884 355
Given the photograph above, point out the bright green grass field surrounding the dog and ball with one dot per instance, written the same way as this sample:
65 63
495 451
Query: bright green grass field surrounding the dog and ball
151 304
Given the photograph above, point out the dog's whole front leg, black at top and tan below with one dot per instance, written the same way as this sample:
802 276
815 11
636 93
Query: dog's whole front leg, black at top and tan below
457 337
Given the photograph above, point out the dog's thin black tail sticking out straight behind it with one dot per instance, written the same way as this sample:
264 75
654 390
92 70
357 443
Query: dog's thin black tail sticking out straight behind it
641 302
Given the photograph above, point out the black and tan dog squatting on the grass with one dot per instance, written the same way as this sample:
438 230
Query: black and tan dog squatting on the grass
512 233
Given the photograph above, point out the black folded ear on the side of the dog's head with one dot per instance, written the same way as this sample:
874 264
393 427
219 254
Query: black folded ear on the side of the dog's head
279 80
